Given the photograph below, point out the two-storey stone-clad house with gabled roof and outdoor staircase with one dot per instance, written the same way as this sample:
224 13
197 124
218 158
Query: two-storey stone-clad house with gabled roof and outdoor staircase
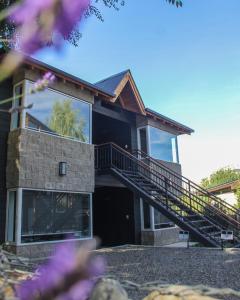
91 160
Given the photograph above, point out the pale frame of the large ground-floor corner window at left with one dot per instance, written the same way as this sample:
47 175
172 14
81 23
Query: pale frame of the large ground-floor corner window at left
18 221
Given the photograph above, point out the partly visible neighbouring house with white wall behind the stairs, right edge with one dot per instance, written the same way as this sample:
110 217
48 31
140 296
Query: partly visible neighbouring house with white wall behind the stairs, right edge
226 191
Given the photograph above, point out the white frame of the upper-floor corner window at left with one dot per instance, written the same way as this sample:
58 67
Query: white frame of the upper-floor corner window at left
23 113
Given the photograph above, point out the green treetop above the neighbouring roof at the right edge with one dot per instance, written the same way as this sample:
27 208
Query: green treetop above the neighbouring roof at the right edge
221 176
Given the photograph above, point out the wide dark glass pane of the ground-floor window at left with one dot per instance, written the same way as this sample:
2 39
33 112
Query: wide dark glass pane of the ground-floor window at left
48 216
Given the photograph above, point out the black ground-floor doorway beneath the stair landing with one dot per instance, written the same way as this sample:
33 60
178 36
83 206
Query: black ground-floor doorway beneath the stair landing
113 216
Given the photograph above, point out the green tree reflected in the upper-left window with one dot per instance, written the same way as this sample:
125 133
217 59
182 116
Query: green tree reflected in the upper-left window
65 120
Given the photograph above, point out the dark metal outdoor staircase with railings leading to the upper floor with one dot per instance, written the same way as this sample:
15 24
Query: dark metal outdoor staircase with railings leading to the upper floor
186 204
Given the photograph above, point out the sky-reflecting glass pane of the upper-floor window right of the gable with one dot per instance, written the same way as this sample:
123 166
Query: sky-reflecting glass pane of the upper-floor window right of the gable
163 145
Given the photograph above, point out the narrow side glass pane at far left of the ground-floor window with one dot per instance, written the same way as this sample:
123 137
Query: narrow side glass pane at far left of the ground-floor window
11 216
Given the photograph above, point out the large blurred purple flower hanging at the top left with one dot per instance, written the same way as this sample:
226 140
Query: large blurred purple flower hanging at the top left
39 20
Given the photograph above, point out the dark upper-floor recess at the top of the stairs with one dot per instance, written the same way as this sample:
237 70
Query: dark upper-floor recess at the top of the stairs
106 129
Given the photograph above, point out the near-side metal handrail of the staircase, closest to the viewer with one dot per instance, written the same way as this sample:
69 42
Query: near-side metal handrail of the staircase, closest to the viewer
220 214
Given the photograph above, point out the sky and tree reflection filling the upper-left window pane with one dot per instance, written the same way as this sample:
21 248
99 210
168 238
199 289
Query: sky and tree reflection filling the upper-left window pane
58 114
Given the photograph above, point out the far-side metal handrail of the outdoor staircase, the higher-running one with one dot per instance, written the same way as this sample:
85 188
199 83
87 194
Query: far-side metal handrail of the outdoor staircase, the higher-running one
188 181
